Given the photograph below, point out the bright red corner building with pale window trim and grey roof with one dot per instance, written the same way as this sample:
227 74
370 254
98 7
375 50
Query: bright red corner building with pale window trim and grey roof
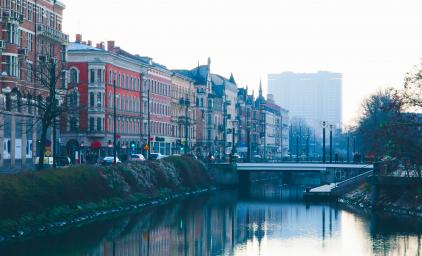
92 72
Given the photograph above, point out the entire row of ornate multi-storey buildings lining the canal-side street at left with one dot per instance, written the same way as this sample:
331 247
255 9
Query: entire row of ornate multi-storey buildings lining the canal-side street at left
111 91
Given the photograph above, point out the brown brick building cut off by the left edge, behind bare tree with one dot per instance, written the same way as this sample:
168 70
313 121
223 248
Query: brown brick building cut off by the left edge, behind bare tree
31 31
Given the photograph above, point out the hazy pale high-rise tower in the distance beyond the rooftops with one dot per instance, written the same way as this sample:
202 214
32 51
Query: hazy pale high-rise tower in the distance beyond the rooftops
313 97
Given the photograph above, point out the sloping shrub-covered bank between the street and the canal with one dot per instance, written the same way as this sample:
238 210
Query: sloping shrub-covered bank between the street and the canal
39 198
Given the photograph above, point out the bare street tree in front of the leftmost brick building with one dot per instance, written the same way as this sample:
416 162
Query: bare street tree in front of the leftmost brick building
48 104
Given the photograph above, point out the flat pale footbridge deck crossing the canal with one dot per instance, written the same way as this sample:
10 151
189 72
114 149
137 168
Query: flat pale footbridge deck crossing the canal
300 167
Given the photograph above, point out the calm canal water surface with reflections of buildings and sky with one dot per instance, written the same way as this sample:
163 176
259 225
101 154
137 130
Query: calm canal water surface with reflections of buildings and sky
271 220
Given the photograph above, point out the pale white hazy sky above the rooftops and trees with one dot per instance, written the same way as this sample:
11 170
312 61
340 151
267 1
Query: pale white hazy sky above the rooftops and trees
372 42
